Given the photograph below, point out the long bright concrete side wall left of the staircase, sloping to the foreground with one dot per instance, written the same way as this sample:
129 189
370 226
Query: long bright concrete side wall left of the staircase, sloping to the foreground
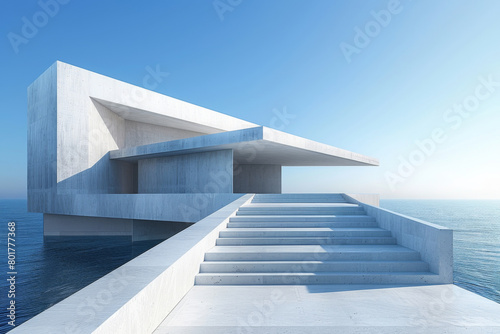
136 297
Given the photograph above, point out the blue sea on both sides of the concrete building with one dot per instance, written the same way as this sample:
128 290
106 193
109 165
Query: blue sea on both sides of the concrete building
52 269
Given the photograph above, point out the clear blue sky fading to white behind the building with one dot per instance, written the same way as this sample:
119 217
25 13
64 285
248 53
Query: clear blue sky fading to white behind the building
415 84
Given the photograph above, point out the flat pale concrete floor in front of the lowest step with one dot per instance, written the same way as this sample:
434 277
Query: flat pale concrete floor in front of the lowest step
332 309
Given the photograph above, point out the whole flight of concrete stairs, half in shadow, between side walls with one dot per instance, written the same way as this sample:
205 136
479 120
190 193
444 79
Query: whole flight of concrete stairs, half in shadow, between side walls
308 239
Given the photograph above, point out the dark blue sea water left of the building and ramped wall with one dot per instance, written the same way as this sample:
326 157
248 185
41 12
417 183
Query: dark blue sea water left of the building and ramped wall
52 269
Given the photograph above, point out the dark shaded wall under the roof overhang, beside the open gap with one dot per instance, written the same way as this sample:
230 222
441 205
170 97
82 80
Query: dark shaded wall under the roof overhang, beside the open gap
257 179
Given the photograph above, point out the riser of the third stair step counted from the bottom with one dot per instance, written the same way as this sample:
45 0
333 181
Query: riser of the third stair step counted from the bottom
307 241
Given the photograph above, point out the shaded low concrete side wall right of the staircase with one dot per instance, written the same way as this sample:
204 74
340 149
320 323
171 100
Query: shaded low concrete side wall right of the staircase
433 242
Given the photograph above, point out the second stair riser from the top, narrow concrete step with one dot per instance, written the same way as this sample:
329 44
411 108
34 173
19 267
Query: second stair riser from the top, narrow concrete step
250 211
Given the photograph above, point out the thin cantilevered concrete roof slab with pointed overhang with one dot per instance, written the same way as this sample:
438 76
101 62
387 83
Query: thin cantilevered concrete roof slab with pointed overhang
258 145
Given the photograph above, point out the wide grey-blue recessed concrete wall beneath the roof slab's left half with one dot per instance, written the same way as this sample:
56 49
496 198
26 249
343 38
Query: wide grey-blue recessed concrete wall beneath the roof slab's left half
206 172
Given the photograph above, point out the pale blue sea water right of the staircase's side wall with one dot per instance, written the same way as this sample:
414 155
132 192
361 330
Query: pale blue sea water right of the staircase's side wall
476 238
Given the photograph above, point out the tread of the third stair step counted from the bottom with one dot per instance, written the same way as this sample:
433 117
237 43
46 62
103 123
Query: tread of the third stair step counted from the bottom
303 232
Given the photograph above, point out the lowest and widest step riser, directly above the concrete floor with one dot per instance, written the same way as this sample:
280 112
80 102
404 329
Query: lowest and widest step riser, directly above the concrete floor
316 278
